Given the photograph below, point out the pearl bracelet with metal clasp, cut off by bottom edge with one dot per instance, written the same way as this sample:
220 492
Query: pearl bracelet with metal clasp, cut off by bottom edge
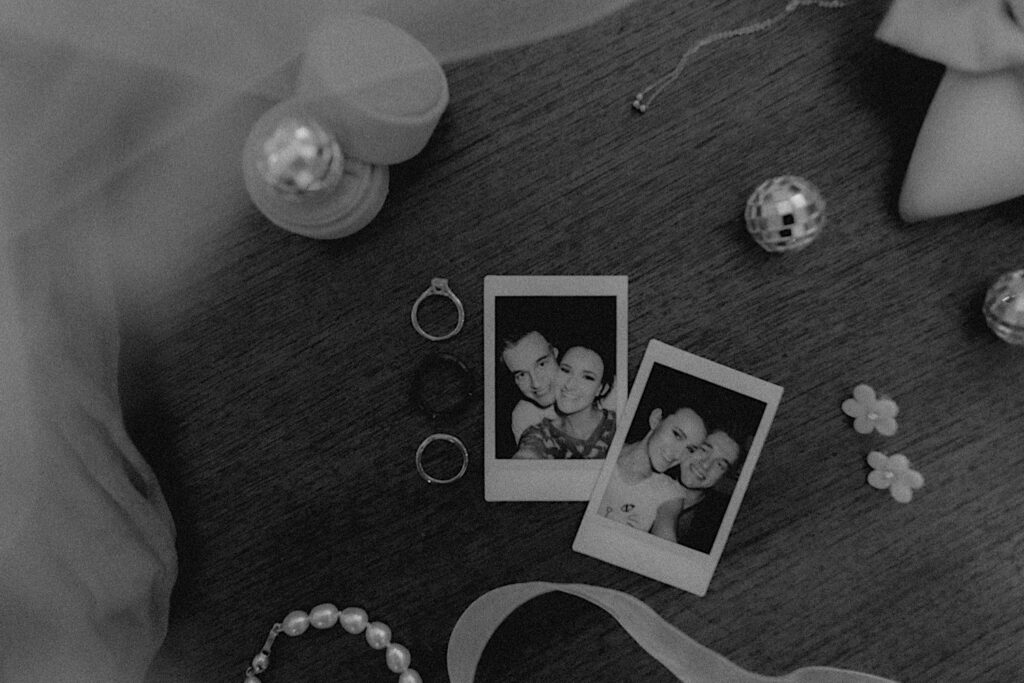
353 620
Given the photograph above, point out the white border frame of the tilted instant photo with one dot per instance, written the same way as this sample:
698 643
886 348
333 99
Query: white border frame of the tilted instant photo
643 552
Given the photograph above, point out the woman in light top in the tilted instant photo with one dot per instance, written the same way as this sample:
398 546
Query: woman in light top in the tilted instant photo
639 494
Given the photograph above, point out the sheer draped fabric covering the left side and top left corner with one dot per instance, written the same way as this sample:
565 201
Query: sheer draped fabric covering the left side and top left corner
122 124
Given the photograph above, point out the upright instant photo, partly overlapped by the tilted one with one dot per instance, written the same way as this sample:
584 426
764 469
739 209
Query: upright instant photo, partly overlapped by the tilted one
556 382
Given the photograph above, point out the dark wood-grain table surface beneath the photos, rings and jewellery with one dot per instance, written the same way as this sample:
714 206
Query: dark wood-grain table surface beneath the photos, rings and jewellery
279 422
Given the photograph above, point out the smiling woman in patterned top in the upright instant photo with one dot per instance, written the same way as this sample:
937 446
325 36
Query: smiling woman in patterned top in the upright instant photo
581 430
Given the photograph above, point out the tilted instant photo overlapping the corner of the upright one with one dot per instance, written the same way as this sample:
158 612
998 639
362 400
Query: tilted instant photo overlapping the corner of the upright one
675 477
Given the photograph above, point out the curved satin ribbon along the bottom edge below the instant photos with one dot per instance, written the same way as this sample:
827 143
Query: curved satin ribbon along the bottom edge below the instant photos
687 659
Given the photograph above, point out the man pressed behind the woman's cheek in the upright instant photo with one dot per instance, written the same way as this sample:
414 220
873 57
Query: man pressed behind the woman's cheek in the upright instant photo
533 362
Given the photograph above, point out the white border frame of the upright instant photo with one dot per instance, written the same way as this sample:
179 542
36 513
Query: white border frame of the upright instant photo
506 480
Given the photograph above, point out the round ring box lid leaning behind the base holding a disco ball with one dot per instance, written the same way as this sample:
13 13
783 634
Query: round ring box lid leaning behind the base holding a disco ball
379 89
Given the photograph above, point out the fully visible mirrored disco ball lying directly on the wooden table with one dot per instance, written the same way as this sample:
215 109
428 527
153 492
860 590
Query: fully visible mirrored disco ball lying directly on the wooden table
785 214
